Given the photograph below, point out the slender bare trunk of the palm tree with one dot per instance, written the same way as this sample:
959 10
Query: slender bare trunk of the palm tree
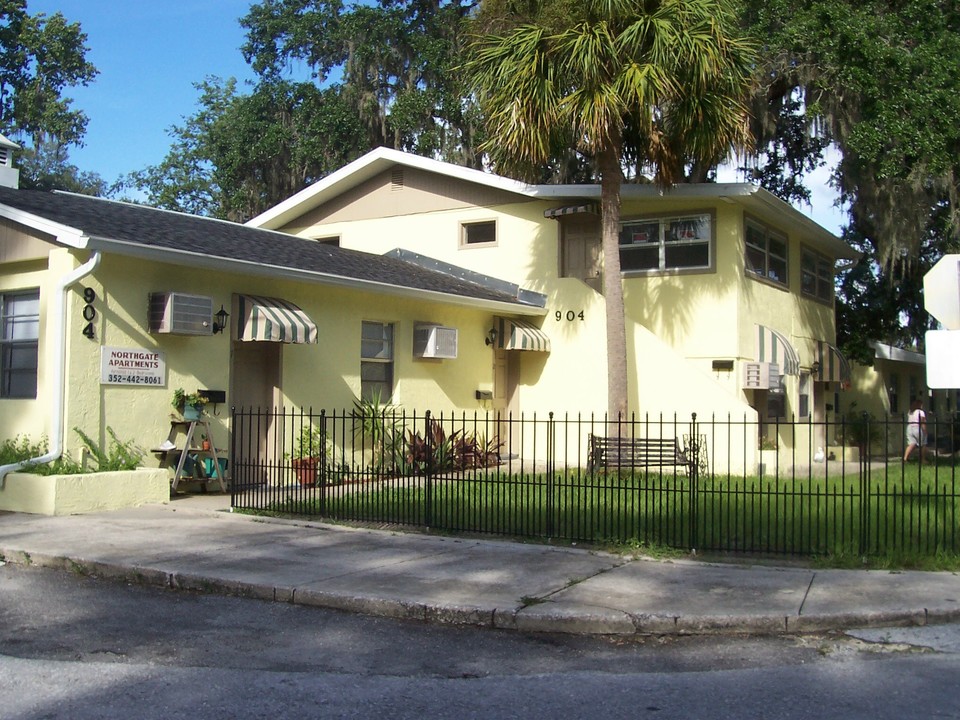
617 388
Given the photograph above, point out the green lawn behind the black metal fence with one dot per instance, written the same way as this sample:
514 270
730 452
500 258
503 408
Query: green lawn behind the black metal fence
904 516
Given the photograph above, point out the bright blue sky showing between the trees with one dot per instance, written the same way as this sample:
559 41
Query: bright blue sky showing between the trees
151 52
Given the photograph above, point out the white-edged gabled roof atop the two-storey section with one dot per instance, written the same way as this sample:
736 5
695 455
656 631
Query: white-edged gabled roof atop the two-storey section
382 159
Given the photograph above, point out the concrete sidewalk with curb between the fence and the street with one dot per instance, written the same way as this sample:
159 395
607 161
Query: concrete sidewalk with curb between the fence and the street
194 543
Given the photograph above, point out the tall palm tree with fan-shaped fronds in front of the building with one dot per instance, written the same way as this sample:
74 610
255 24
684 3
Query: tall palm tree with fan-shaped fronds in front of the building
659 83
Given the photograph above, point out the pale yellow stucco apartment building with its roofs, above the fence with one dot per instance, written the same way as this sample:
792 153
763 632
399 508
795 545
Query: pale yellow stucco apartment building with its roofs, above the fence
443 288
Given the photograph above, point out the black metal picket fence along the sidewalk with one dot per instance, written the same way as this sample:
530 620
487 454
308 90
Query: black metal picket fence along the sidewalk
731 486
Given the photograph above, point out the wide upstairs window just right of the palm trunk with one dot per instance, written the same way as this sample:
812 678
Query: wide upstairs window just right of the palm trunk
670 243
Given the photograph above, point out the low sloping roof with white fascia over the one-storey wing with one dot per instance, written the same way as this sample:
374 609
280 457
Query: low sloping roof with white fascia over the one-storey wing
85 222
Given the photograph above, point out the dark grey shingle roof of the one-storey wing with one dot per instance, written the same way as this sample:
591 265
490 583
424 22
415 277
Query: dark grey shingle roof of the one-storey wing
146 227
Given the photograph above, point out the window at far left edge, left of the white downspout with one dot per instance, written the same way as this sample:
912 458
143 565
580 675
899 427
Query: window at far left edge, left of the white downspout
19 343
